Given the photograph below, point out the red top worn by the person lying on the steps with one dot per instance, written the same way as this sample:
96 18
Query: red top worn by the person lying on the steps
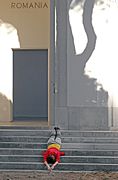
53 151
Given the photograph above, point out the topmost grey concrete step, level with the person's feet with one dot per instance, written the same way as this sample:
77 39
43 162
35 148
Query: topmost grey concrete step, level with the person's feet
46 133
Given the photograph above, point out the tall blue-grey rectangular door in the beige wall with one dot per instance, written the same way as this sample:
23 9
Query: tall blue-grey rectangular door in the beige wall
30 84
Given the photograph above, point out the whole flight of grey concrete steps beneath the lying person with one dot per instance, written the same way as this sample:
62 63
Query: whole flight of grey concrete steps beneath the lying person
21 150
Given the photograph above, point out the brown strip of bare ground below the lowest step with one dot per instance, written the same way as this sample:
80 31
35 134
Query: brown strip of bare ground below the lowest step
57 176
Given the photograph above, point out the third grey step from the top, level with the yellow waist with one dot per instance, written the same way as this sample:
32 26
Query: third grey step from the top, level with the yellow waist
79 146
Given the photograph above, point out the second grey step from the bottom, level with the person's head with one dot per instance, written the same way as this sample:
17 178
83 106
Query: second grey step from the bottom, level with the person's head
64 159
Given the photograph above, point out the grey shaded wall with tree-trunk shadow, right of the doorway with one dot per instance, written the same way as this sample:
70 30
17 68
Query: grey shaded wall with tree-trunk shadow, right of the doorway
78 104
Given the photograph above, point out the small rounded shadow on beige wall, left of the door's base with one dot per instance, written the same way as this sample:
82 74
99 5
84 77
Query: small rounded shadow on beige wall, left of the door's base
5 108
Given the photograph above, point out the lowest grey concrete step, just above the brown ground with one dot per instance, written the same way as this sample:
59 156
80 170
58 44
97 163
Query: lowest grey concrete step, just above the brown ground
60 167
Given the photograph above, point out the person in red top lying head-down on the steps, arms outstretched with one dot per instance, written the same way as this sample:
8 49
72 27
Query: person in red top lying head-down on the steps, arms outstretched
52 154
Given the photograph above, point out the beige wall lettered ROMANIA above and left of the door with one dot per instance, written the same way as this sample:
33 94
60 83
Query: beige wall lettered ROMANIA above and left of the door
23 24
